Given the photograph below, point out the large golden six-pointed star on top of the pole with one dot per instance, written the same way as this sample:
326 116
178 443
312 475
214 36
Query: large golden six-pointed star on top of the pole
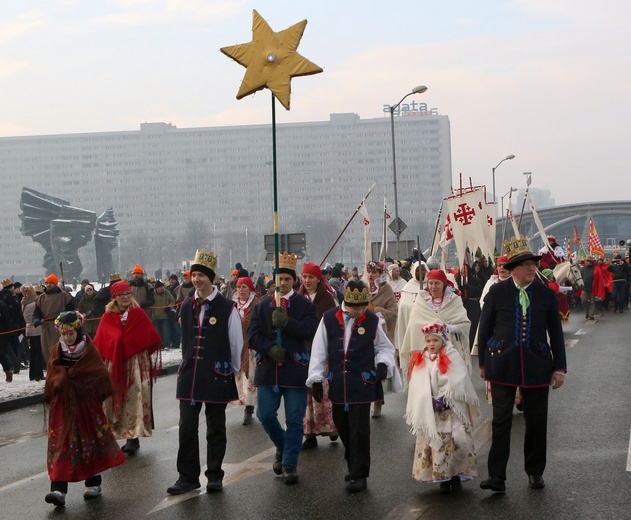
271 59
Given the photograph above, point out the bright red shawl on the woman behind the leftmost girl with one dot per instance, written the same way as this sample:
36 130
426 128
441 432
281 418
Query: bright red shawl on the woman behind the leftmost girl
118 344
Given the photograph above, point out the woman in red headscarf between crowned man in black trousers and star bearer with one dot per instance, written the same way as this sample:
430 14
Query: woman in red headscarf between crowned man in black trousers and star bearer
246 298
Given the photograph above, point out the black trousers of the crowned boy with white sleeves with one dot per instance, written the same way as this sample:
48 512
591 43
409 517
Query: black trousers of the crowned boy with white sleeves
353 427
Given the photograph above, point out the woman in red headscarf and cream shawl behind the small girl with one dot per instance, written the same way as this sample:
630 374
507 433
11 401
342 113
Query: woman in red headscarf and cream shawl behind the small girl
439 302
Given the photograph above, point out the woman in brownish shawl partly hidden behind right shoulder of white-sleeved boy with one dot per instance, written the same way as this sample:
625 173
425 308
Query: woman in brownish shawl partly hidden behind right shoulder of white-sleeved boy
383 304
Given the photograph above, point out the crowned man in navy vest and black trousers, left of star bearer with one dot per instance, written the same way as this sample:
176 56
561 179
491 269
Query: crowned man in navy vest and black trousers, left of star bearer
212 341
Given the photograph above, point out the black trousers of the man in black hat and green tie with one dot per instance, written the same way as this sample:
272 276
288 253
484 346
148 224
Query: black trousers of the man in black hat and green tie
535 407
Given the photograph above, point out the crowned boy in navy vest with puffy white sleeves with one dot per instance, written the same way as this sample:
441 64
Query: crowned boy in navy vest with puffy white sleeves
351 349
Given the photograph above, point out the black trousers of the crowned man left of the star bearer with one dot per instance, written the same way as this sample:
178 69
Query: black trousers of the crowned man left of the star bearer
188 465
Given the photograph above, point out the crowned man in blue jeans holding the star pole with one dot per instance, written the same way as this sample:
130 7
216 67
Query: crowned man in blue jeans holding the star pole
282 366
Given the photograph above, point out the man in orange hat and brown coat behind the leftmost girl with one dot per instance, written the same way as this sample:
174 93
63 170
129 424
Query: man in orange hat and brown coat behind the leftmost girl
48 306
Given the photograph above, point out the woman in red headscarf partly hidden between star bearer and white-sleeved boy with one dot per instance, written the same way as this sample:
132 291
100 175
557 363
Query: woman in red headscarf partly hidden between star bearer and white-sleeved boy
318 418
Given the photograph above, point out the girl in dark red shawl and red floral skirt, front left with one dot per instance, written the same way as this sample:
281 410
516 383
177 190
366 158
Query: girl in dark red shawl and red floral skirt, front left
80 442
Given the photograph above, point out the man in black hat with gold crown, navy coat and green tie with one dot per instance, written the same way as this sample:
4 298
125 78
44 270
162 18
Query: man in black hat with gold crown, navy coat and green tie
518 317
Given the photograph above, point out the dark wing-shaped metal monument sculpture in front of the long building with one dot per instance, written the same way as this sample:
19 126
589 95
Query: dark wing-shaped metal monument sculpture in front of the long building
63 229
